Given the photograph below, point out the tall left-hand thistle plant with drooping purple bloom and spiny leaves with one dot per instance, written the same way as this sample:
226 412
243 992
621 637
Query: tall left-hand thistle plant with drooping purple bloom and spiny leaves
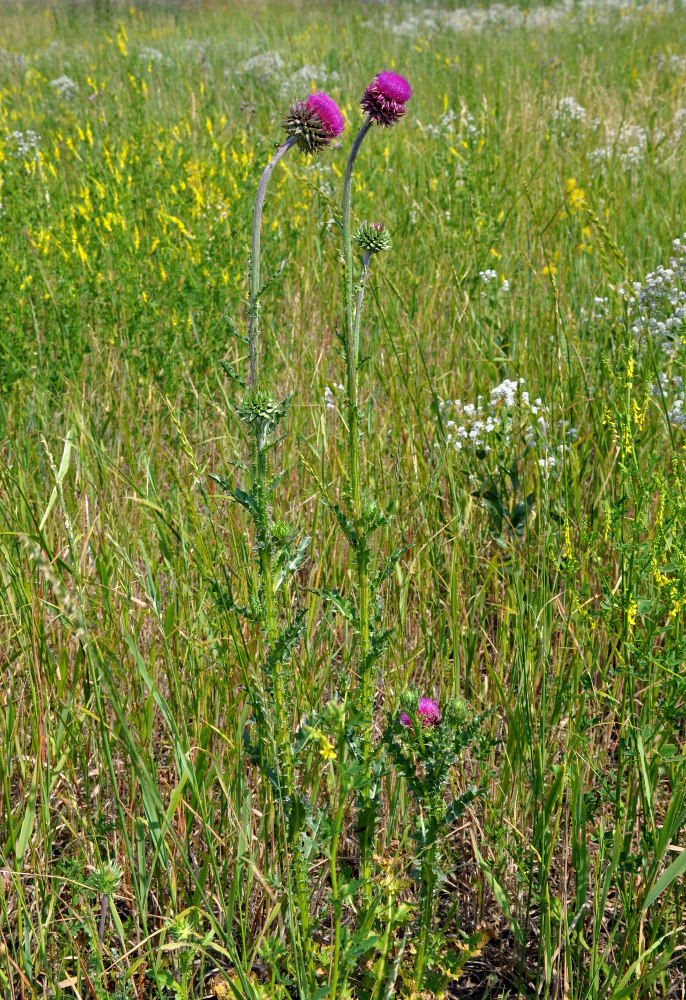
311 125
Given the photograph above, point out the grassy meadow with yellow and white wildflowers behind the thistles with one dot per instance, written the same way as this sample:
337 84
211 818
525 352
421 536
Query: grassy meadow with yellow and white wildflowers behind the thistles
539 172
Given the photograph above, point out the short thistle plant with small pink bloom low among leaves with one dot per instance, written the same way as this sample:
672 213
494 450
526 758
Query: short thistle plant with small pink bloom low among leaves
423 743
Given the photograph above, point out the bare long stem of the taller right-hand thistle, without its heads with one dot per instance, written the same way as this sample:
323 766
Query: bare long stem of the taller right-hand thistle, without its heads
352 337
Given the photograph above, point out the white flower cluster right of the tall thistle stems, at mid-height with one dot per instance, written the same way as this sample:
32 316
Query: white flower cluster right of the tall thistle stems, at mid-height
475 425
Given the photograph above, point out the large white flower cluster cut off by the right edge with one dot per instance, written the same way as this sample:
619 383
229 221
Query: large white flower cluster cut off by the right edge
659 307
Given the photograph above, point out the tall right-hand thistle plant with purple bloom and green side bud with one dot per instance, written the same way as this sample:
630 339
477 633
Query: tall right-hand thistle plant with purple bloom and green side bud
384 103
